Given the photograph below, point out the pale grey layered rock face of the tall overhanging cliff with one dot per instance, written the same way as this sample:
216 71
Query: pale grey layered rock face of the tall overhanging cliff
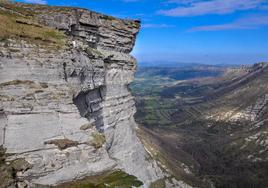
56 103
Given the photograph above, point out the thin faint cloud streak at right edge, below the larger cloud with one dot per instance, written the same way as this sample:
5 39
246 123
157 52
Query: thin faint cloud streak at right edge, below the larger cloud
252 22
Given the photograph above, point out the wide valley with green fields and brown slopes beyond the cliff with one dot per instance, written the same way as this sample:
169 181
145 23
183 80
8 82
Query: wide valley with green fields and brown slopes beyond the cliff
209 129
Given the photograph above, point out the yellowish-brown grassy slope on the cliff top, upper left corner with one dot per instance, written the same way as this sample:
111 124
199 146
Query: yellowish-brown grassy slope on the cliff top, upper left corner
15 23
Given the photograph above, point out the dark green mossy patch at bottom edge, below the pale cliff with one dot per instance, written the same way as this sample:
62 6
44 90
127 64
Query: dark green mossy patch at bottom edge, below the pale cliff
113 179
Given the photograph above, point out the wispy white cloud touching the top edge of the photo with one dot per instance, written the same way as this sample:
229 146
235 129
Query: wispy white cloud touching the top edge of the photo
196 7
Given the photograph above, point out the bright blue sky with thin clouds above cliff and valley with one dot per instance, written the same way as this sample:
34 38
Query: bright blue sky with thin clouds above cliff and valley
199 31
